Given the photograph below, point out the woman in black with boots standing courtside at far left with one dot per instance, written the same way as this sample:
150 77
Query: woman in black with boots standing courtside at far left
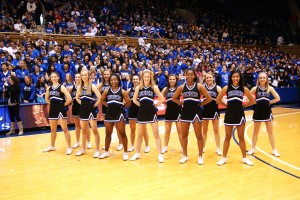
13 94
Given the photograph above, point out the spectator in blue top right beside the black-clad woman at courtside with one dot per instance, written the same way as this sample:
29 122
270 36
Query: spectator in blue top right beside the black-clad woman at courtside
27 91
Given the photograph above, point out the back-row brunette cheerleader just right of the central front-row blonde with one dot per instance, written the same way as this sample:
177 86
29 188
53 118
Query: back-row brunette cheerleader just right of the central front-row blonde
172 111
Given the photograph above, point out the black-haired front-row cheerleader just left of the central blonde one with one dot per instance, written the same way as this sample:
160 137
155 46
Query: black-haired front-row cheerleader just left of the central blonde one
113 98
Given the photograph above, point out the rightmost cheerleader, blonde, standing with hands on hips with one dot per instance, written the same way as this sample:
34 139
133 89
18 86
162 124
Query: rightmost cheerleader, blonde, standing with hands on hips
262 111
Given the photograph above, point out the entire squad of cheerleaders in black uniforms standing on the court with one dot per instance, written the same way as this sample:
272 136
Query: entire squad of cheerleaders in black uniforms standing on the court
142 111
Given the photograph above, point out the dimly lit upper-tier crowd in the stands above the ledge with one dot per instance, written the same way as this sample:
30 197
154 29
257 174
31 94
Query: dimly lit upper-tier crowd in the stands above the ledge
135 18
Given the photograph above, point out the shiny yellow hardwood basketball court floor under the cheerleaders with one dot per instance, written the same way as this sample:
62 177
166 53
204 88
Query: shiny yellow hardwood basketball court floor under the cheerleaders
28 173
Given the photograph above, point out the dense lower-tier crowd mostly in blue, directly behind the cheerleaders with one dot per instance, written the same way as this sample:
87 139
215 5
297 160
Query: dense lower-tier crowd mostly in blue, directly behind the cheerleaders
32 61
